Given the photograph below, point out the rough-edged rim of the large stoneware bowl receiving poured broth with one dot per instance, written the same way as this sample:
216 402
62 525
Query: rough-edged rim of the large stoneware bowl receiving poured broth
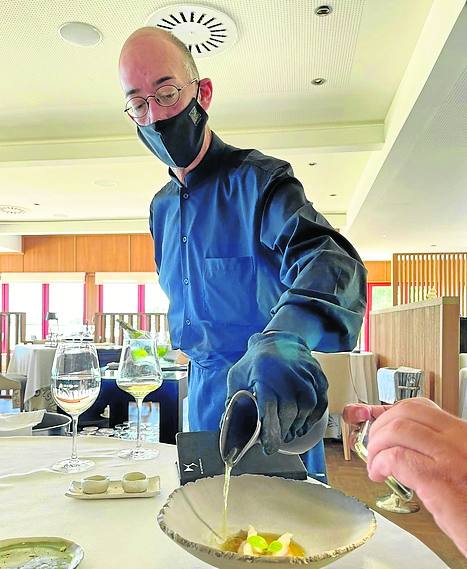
330 554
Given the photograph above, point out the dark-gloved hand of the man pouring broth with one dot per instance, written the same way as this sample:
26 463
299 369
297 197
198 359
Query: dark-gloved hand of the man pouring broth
289 385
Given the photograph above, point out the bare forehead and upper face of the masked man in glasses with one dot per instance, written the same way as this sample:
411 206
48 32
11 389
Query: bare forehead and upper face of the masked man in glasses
148 62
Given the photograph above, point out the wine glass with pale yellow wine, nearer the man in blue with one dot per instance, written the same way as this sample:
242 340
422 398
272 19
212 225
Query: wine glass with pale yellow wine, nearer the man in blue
139 373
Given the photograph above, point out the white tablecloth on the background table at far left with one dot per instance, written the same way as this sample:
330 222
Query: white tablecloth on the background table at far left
34 361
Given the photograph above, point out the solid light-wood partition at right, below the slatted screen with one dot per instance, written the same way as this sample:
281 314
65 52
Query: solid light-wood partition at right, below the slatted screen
423 335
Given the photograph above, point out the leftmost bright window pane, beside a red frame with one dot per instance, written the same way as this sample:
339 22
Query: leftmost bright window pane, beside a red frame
27 297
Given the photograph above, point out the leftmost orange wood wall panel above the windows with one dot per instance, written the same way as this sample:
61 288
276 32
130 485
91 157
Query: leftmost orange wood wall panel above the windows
50 253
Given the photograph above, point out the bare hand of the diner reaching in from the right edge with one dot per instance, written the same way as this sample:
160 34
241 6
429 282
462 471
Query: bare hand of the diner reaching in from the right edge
426 449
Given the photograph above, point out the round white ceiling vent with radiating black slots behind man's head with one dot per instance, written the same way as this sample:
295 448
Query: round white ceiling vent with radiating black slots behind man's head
203 30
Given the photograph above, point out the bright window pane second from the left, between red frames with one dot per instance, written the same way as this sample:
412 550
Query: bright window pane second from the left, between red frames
67 301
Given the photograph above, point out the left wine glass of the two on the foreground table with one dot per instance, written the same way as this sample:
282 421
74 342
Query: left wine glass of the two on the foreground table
76 382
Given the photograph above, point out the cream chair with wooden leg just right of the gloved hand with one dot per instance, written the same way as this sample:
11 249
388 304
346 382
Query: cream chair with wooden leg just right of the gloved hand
341 391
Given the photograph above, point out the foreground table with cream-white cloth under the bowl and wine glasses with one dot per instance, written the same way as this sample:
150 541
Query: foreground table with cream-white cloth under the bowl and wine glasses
124 534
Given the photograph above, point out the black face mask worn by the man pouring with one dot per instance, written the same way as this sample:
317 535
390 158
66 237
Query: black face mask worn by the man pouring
176 141
